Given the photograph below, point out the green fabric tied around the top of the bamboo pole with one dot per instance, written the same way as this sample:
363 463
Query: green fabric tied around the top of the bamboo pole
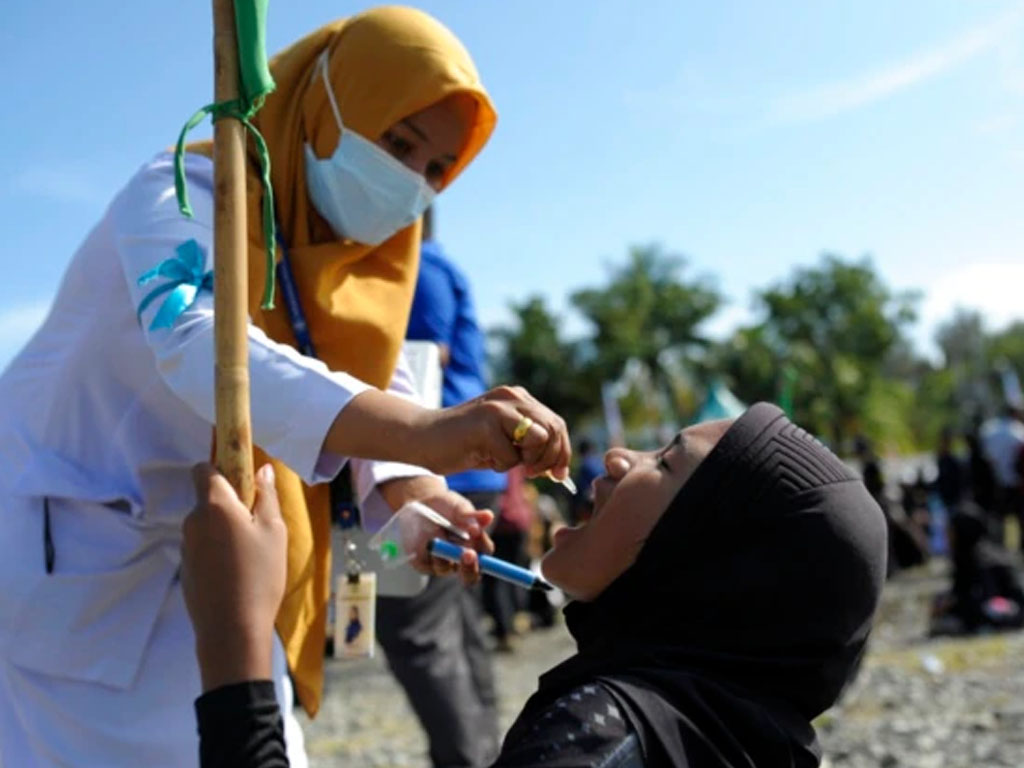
250 30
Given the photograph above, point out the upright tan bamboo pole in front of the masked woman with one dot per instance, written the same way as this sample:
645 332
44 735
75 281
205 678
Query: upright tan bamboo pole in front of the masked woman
234 451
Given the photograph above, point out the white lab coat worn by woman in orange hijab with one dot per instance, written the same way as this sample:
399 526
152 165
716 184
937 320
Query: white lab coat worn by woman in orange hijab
105 419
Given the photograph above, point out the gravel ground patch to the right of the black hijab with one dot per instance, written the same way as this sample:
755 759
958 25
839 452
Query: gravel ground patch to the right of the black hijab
943 703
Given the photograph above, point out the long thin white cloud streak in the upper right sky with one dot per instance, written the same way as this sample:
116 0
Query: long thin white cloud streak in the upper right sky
835 99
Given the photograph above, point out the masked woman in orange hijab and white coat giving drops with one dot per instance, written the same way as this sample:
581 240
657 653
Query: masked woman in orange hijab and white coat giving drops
110 405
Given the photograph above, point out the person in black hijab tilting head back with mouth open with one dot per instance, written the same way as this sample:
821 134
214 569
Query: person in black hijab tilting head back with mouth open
726 588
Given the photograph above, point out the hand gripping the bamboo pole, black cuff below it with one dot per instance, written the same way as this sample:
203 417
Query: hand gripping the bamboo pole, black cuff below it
234 564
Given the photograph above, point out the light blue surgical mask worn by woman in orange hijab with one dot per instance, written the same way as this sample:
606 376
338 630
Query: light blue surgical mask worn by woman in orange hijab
364 193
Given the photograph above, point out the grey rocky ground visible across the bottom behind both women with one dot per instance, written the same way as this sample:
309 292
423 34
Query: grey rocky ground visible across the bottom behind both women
917 704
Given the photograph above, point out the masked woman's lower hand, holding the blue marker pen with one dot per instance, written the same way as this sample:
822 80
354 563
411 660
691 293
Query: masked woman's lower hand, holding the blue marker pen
458 509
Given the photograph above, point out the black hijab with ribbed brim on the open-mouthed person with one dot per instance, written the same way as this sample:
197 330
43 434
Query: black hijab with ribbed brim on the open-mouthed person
746 612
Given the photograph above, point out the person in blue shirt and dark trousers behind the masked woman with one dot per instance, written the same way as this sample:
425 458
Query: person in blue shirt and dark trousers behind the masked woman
435 643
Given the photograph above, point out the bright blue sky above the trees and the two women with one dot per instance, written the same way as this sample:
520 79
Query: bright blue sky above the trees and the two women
749 137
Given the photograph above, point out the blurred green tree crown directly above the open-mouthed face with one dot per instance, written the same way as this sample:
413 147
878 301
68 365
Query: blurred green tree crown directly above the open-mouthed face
646 314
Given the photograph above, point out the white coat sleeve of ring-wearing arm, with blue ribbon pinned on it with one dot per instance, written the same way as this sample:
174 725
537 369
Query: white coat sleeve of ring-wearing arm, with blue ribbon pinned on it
295 400
